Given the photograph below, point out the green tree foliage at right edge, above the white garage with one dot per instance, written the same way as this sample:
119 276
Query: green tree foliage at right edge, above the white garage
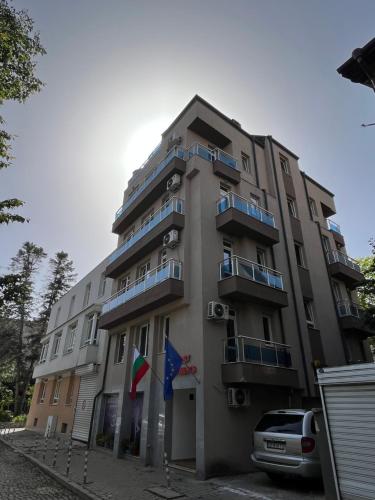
366 292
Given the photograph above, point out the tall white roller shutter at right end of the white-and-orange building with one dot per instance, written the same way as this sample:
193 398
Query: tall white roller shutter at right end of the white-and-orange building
85 401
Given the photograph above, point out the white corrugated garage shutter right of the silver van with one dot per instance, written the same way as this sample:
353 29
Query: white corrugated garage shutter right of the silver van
351 416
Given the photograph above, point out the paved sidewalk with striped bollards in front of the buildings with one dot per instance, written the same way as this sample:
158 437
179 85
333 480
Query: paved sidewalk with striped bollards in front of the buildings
127 479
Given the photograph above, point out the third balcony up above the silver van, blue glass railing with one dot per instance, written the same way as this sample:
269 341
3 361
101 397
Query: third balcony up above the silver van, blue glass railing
238 216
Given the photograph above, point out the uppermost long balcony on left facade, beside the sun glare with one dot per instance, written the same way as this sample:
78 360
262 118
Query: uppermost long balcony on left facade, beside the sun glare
150 190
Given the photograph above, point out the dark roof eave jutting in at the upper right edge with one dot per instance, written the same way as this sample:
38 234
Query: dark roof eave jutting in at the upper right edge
360 68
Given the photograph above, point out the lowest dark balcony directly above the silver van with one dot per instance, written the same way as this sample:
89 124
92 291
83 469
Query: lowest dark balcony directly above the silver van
249 360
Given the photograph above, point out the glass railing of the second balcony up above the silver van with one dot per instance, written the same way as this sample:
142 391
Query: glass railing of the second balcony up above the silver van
238 266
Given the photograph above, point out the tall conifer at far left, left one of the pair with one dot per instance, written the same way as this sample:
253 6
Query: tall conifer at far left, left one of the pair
25 264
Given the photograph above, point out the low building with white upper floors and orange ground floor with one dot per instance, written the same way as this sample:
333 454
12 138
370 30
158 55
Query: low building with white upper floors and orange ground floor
67 375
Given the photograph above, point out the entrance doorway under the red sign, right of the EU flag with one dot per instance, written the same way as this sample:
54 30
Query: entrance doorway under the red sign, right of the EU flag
183 451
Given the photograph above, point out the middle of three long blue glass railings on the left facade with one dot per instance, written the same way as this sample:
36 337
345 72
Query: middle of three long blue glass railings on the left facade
172 205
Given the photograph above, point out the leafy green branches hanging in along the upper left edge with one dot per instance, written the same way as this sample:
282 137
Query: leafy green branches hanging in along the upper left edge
19 46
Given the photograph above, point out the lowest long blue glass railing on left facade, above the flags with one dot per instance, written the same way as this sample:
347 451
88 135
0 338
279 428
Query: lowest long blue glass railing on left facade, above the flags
170 269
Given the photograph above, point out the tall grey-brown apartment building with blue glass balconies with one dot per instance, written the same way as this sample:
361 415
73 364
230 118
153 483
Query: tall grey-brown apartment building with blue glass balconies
243 227
